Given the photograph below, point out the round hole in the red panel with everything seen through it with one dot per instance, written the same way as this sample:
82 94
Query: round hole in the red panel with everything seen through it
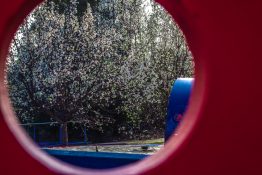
93 80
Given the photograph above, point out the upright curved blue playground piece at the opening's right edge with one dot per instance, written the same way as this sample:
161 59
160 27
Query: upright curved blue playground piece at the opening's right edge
177 104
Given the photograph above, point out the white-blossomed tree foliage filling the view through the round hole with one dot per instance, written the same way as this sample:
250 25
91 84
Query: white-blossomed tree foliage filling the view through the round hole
112 66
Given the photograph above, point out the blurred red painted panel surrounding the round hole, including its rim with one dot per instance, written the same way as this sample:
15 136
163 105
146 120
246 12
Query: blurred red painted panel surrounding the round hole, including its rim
221 132
